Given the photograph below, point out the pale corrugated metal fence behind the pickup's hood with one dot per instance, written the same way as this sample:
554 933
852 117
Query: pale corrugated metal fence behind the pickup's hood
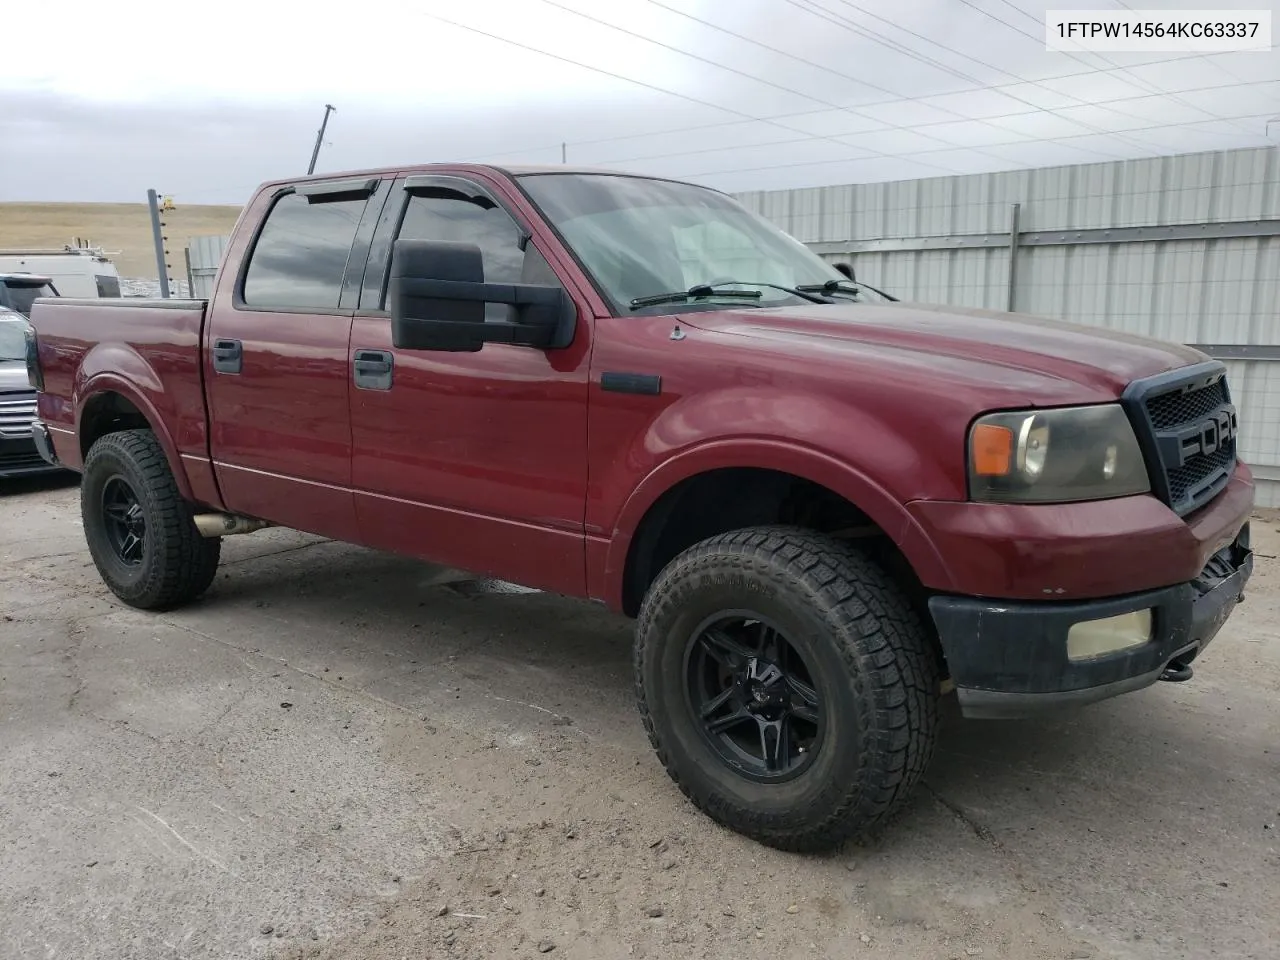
936 241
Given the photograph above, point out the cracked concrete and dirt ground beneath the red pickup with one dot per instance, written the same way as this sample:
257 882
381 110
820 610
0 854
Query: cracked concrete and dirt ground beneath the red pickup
337 756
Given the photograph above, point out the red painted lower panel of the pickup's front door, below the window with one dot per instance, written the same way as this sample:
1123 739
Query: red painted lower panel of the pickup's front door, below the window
477 460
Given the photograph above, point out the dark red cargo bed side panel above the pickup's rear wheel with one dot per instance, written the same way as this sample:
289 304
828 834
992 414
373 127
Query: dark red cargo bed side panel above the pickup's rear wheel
147 355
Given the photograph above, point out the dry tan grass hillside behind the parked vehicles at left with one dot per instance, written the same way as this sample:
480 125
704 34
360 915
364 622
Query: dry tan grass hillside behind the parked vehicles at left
124 230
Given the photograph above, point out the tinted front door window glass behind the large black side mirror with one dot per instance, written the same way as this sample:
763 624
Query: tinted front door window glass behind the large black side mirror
449 216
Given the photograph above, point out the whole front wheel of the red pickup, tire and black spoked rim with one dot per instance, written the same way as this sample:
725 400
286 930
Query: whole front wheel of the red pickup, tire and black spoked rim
788 684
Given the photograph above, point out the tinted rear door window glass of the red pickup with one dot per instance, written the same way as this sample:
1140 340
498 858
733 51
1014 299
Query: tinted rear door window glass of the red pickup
301 254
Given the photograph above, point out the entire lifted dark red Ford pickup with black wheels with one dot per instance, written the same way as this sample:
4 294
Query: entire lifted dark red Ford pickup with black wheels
825 509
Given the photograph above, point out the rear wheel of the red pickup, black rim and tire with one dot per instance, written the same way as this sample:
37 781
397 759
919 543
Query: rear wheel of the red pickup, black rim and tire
139 529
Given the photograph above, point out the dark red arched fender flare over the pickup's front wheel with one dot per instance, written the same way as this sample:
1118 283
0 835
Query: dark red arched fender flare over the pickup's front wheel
779 455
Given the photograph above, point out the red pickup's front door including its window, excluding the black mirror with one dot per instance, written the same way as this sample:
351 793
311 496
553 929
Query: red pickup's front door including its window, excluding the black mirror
473 460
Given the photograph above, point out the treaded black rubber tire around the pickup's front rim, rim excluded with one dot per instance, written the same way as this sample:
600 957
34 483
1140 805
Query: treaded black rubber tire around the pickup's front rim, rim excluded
876 665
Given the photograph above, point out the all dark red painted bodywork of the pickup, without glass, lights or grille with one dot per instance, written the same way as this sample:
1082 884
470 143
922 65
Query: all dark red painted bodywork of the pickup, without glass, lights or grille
518 464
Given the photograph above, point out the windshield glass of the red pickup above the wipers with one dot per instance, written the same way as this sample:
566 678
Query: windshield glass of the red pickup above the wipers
639 239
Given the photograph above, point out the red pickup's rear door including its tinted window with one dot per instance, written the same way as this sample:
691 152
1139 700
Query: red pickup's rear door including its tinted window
276 358
